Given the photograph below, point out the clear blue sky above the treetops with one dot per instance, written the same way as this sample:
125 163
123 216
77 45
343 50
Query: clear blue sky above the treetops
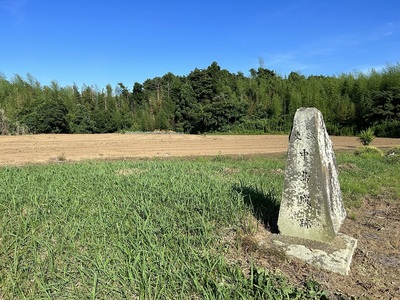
100 42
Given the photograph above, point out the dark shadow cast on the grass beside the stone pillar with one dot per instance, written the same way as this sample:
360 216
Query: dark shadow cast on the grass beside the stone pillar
264 205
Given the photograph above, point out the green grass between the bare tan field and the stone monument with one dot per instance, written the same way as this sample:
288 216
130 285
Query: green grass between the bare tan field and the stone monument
148 229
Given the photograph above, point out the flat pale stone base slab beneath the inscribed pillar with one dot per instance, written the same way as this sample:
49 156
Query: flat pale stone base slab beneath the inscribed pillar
335 256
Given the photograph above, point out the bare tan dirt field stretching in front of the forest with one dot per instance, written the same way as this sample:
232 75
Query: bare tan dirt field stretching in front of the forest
33 149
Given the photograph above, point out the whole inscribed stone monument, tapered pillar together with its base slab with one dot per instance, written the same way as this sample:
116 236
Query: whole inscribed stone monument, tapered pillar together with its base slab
312 209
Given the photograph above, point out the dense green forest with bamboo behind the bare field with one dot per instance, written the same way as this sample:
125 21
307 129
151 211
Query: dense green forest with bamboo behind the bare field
206 100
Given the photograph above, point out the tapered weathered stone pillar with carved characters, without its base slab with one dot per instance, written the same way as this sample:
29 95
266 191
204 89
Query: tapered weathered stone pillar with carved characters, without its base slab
312 205
